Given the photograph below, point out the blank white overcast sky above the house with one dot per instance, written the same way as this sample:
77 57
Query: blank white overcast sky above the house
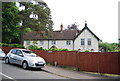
101 16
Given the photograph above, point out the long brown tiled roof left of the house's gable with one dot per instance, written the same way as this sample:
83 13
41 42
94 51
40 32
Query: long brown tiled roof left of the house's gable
55 35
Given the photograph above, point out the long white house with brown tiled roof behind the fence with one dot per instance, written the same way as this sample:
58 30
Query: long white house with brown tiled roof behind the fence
83 39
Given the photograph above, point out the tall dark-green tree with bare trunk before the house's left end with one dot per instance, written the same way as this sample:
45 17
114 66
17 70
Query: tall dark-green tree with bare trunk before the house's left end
35 16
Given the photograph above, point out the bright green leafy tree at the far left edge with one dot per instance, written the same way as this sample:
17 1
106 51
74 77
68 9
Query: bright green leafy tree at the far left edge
10 27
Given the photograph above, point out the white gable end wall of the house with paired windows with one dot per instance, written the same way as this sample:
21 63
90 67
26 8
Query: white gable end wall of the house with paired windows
87 36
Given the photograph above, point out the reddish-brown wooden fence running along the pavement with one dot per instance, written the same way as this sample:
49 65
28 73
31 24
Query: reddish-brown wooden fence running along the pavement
101 62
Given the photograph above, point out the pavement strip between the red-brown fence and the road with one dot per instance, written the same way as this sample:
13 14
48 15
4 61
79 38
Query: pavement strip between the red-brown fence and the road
77 74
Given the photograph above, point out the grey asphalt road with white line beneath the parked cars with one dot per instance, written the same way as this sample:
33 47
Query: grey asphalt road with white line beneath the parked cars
16 72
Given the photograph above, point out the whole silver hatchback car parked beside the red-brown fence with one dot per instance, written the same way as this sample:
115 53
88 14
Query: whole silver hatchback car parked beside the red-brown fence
25 58
